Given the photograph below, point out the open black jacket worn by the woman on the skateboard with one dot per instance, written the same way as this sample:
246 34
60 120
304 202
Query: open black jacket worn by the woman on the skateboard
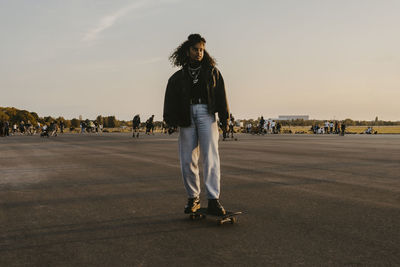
177 97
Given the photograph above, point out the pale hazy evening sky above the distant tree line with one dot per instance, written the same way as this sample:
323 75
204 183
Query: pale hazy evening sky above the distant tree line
332 59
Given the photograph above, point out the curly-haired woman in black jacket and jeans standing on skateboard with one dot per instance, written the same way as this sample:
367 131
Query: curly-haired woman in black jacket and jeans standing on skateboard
193 95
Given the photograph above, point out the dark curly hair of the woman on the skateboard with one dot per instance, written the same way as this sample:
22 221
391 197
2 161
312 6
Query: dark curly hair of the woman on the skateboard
180 57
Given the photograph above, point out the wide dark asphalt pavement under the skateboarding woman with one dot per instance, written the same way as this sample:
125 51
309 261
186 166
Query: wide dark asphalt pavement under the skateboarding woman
112 200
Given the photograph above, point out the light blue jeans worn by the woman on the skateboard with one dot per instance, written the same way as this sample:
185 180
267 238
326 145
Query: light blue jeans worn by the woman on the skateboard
200 138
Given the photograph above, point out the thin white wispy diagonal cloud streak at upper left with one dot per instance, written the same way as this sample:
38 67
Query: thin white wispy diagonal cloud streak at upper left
108 21
